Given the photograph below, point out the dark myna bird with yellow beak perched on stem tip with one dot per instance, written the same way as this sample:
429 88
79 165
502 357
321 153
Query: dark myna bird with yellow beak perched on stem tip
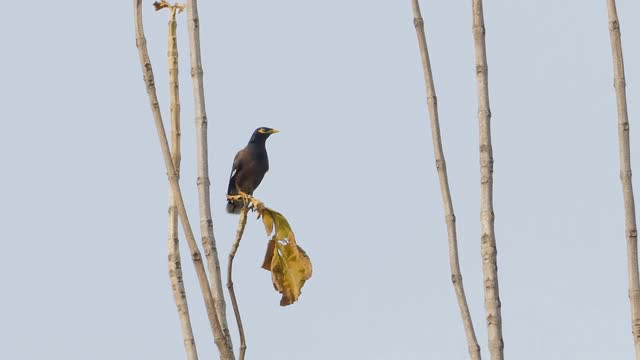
249 167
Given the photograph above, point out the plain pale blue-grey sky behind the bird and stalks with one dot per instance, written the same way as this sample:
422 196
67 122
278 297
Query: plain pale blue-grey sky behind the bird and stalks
84 191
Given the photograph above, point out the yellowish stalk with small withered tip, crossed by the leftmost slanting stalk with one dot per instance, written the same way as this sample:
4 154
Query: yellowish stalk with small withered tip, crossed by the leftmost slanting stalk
175 267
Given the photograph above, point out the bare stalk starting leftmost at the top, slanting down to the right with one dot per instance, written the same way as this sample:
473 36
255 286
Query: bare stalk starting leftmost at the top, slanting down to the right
226 352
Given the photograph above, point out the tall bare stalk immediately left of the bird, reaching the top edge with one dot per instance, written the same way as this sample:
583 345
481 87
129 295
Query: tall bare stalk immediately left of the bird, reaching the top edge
204 201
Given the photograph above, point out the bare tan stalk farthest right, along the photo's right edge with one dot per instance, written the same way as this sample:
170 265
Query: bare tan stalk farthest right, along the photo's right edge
631 231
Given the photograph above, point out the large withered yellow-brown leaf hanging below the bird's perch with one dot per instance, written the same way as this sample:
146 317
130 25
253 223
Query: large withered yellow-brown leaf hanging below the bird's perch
289 264
